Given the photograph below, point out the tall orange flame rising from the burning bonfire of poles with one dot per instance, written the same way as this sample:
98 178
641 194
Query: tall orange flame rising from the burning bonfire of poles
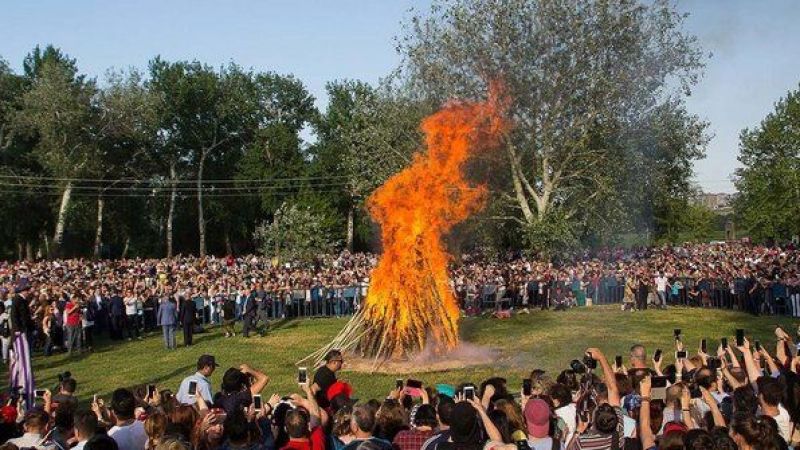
410 300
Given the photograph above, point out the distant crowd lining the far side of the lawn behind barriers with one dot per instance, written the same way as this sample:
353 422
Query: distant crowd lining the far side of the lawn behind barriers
72 300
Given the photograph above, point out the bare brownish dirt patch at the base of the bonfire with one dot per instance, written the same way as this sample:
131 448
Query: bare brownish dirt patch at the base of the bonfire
464 356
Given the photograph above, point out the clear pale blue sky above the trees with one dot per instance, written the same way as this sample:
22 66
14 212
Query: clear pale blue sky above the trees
755 47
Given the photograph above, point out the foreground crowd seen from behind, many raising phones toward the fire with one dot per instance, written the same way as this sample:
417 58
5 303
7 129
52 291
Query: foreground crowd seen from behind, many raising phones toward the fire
739 396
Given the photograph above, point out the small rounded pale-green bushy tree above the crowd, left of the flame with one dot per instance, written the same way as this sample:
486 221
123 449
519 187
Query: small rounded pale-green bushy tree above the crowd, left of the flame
296 233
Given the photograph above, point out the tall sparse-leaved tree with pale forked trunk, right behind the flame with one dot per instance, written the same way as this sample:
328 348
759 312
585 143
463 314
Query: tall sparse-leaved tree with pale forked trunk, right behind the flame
579 75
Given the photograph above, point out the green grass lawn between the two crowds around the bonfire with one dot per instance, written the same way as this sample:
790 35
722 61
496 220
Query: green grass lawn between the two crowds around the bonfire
543 339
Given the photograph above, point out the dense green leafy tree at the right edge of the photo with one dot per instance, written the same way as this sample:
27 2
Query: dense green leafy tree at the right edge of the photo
768 204
